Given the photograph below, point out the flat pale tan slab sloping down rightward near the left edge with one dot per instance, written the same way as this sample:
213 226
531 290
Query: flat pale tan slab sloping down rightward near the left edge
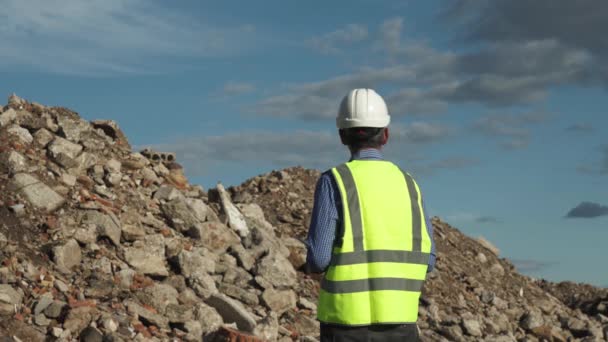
38 194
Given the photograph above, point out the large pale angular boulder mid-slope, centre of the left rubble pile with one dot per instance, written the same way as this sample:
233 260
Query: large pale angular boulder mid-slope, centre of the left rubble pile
148 256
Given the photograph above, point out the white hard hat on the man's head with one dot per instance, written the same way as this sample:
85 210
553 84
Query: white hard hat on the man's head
362 108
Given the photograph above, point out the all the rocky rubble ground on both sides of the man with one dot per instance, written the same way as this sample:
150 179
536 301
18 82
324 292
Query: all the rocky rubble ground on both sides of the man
101 243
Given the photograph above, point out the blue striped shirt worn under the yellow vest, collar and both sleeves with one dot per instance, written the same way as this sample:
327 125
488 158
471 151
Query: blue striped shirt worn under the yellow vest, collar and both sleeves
326 215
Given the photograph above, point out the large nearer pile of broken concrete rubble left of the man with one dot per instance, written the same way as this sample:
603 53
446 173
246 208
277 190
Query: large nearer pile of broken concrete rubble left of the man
98 242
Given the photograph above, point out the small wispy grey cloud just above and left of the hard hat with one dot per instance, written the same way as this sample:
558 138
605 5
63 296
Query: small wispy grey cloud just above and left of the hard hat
332 42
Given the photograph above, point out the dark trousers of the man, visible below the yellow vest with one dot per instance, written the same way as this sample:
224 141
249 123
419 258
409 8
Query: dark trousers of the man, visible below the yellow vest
372 333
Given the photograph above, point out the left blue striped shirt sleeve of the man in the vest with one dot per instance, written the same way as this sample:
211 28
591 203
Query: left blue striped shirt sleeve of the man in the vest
323 225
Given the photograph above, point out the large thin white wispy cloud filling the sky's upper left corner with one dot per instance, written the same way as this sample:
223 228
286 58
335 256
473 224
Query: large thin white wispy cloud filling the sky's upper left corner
106 37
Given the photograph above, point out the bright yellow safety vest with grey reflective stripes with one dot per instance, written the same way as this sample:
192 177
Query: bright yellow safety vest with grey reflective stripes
379 263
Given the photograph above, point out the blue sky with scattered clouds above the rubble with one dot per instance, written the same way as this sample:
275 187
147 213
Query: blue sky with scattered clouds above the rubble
497 111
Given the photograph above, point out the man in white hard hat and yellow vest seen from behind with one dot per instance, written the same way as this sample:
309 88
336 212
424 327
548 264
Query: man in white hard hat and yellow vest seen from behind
369 234
